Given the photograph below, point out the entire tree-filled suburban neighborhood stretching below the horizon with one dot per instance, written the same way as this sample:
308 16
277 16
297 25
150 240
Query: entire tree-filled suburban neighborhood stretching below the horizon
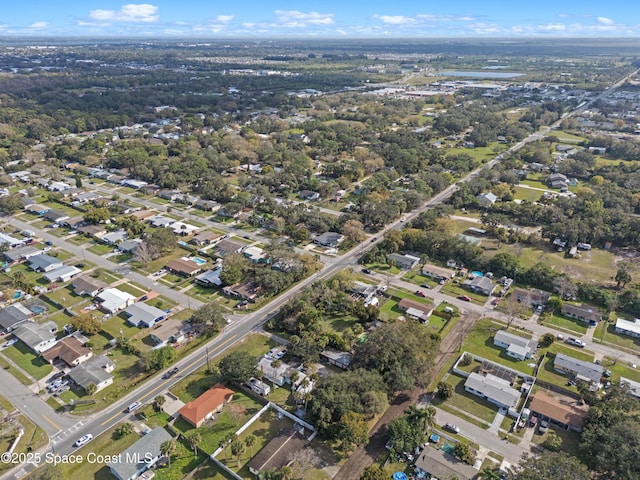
288 262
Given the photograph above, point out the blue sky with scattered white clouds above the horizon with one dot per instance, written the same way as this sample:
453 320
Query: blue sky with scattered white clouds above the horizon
329 18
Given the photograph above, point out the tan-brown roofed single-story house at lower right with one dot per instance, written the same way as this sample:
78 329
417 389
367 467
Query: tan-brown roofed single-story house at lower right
560 410
